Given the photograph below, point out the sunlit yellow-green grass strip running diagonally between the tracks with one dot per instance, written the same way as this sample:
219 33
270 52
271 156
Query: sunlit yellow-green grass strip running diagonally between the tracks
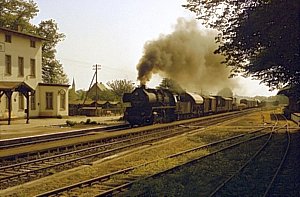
135 158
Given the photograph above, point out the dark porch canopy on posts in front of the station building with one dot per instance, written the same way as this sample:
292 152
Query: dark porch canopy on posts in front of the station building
8 87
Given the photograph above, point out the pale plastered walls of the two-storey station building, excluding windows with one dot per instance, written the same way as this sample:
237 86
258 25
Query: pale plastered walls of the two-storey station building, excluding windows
20 47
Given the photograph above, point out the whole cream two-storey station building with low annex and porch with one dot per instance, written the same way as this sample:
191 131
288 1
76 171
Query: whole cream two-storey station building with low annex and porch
22 93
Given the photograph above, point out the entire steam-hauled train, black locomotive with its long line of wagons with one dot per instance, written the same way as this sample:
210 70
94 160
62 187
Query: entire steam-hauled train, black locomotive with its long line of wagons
146 106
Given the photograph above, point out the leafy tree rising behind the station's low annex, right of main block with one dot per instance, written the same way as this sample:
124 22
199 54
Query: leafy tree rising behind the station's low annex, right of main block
52 70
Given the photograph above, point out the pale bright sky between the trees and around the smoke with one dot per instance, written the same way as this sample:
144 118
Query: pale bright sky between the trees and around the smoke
112 33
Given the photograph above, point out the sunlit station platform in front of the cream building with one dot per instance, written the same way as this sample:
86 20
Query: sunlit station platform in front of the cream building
39 126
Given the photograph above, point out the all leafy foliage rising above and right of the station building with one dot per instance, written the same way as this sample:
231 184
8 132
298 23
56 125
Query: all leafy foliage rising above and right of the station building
16 15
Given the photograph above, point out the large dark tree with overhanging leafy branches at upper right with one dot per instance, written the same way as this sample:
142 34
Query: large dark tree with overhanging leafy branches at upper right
258 37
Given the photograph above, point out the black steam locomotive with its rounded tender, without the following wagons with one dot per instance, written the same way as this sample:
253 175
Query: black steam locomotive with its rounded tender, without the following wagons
148 106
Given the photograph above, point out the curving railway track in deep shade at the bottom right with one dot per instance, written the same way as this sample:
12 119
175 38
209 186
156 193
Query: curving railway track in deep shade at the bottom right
259 176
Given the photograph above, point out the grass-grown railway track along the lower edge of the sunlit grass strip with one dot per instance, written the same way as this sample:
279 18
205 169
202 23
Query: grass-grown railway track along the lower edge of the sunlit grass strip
112 183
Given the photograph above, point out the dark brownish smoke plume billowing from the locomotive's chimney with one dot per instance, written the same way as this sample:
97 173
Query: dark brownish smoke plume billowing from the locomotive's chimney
186 56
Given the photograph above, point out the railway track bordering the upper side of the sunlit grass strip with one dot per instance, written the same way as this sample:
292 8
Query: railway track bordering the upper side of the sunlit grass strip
21 172
